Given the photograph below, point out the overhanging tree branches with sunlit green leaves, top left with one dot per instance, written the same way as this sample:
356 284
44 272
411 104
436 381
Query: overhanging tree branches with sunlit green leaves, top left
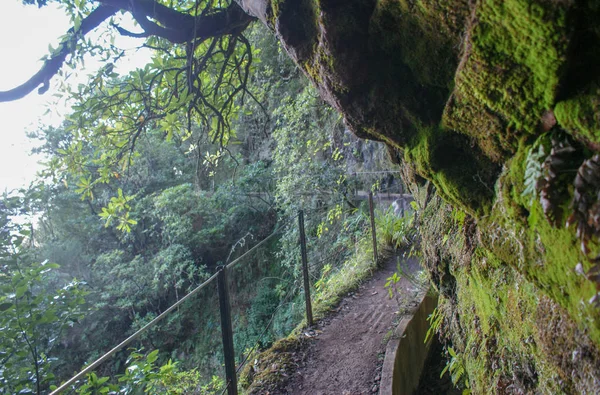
197 78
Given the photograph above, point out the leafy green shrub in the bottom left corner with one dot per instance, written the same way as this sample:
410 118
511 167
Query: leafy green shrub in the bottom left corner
33 316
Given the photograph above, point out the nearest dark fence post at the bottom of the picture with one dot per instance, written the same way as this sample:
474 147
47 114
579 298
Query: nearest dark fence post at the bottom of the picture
227 332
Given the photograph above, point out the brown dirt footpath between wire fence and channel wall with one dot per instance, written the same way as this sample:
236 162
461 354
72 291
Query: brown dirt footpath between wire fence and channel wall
346 349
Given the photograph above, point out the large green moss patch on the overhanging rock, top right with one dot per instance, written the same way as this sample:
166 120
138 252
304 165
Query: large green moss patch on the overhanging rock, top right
510 72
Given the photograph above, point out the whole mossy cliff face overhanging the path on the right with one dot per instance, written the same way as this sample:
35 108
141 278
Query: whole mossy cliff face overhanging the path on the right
461 91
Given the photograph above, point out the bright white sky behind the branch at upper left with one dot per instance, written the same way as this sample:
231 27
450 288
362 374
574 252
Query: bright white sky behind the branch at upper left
25 33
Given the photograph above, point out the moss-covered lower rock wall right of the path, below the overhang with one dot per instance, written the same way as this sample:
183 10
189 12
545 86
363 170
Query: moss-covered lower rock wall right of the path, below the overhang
515 309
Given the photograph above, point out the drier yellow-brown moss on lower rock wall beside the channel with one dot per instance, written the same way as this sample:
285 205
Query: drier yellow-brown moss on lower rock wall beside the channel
508 331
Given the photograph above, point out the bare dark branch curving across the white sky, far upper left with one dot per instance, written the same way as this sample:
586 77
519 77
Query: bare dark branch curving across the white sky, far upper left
52 65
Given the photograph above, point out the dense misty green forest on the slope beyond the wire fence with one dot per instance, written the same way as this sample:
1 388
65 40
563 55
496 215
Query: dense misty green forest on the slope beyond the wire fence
140 216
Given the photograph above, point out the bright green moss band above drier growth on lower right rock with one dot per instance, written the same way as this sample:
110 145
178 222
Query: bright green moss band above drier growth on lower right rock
520 235
